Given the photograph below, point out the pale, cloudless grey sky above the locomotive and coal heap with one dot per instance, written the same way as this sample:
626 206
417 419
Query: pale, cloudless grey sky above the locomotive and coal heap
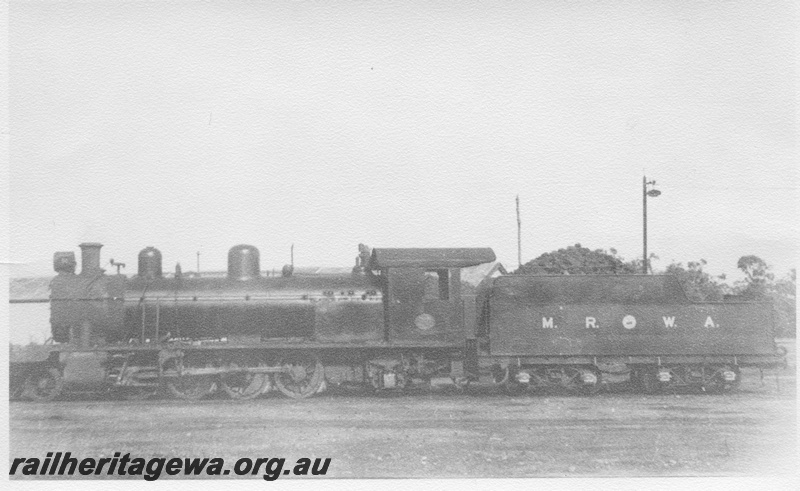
195 126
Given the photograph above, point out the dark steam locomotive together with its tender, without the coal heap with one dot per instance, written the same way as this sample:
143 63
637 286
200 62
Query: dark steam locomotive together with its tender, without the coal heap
399 316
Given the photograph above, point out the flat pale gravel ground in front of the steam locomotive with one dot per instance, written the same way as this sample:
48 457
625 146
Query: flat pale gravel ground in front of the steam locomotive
443 433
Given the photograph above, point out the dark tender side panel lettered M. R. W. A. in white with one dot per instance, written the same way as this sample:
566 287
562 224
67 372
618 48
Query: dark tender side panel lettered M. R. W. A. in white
521 329
